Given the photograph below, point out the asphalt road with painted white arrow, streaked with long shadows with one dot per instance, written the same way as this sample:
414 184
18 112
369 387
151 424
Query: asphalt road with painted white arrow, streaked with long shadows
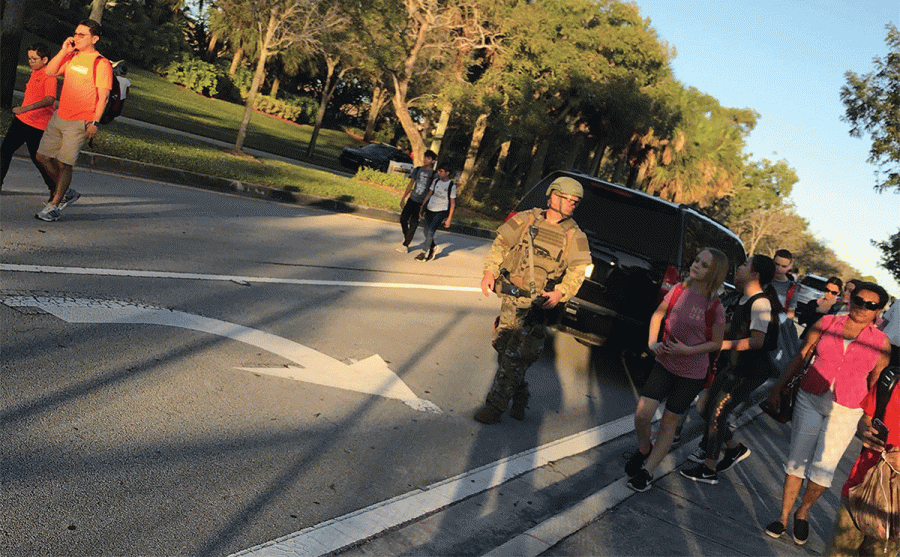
186 372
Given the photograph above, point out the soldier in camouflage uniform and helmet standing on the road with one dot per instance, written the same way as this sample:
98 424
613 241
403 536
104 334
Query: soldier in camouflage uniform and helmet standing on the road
544 255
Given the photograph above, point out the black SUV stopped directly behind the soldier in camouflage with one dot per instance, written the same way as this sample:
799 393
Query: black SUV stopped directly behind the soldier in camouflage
641 246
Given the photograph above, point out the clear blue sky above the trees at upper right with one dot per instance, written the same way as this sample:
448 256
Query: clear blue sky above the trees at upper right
786 60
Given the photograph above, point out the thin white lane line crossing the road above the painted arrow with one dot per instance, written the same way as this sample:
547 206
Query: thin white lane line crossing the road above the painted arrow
225 278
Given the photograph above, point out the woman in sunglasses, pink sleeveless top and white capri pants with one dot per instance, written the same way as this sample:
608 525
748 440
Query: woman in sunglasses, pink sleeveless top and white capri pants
850 353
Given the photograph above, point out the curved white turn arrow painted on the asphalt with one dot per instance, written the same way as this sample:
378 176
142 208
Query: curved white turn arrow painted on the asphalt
370 376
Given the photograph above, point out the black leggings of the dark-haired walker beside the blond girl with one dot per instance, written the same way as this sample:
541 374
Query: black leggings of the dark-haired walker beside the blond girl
726 393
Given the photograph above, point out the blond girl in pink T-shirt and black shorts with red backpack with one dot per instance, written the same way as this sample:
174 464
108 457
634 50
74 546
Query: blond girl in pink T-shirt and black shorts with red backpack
693 322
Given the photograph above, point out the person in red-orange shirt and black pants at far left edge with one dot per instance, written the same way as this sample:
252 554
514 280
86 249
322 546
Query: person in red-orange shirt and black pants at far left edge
32 116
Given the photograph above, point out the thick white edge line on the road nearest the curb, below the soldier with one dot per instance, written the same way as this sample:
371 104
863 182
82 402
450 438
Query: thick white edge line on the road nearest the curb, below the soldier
360 525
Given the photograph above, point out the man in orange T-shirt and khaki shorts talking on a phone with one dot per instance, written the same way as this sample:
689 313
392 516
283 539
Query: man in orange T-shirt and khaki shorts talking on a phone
86 85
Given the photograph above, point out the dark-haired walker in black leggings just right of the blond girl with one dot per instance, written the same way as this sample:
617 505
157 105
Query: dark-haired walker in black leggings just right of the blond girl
751 332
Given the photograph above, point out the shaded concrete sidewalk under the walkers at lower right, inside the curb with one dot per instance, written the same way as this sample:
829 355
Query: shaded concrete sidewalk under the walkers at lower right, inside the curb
681 517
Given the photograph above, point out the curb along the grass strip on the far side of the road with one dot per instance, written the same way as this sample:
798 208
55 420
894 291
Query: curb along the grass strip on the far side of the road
128 167
